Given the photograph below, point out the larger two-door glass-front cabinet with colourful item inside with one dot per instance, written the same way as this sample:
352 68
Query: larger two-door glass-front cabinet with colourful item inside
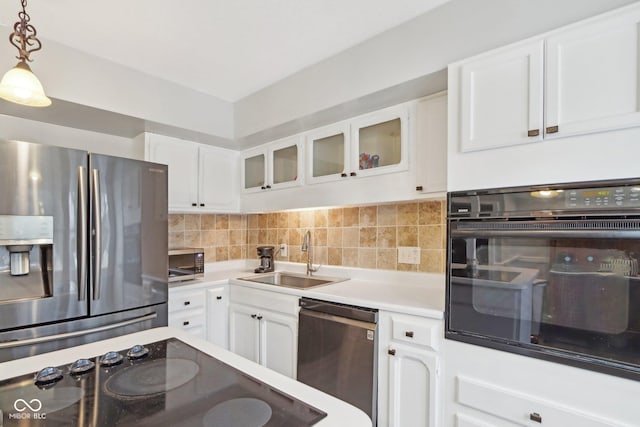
368 145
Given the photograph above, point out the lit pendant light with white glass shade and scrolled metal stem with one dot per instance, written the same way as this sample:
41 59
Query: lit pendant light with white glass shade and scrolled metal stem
19 84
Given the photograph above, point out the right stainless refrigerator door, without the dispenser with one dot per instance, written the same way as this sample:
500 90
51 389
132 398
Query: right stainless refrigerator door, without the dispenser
128 211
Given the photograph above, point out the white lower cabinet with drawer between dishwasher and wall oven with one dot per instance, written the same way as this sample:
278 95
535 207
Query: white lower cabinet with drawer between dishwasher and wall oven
408 370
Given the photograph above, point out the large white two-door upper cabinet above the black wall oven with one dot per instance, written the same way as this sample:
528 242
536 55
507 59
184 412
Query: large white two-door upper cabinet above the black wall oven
577 80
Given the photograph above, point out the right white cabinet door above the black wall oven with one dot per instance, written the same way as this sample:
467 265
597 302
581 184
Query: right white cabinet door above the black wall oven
592 77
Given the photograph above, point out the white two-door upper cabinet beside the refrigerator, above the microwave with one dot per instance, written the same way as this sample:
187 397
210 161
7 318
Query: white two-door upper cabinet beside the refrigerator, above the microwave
202 178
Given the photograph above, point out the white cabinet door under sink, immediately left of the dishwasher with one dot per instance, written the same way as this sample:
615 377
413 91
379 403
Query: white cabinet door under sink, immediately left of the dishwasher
279 343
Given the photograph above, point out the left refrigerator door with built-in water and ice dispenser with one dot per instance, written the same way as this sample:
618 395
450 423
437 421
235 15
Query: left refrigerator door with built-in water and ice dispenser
42 184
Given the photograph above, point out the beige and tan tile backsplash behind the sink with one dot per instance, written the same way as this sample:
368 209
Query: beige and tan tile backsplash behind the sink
357 236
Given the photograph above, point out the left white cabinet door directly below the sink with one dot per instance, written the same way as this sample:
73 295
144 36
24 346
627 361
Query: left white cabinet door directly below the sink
244 331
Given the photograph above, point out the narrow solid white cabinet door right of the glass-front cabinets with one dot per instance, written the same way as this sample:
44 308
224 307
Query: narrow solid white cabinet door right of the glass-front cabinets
431 144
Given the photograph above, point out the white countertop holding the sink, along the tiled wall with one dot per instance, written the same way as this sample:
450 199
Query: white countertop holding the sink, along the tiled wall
421 294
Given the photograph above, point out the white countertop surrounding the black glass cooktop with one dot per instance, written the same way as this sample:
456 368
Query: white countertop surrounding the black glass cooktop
338 412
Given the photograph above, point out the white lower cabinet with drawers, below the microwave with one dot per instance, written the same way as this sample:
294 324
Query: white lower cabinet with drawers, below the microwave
201 310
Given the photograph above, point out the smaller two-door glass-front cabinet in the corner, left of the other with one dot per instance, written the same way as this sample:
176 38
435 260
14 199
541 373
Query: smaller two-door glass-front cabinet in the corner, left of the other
274 165
